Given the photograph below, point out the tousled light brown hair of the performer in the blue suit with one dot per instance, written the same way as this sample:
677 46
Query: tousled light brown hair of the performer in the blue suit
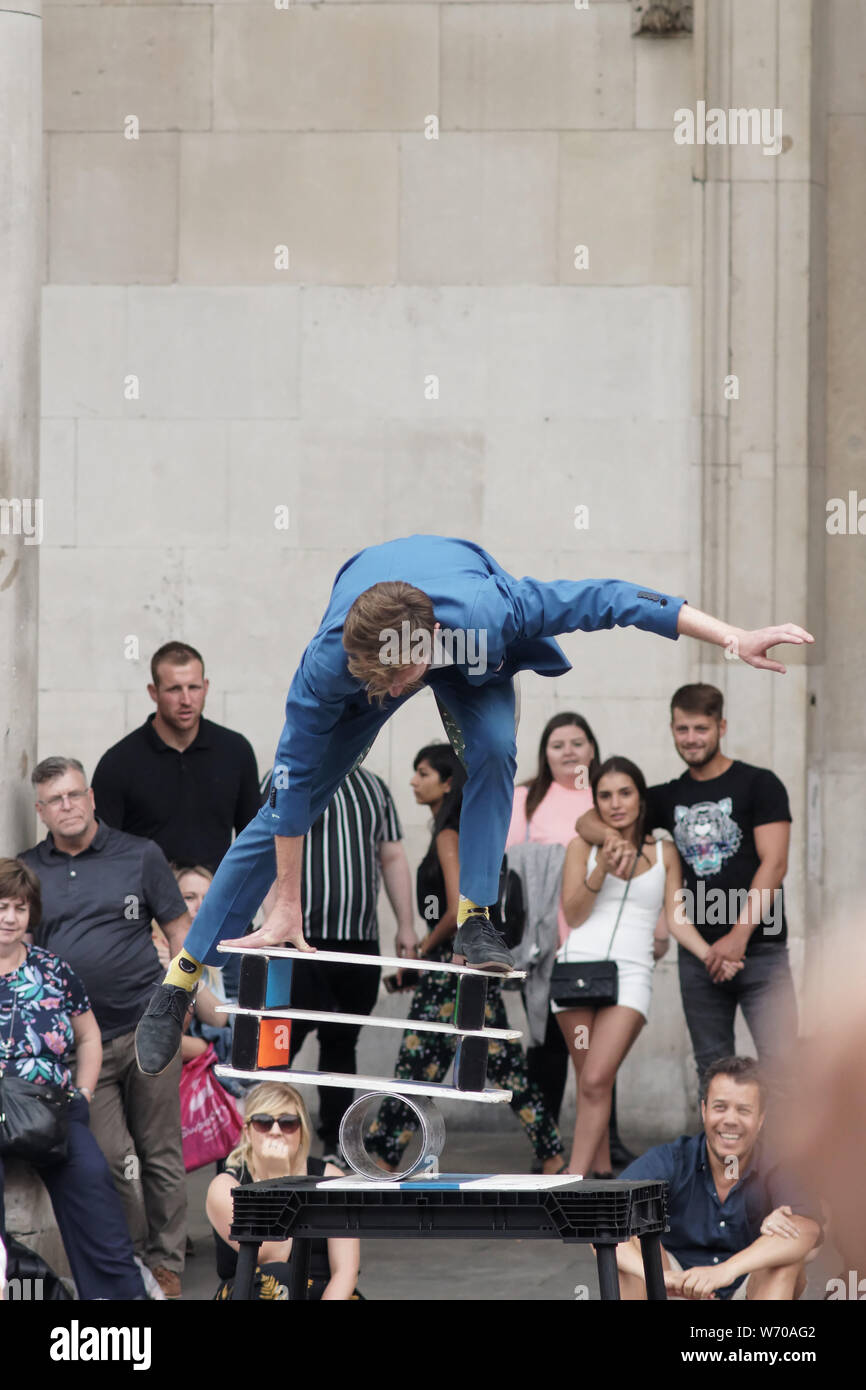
376 614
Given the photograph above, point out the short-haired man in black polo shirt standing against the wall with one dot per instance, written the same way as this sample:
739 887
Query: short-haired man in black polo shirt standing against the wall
180 779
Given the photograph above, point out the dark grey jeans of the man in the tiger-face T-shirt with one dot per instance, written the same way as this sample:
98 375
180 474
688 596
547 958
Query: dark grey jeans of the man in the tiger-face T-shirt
765 993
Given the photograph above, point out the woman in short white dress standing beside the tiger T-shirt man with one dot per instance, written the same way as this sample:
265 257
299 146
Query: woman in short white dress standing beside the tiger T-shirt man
600 1038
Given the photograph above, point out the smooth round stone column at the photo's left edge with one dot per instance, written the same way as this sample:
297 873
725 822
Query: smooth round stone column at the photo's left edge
22 519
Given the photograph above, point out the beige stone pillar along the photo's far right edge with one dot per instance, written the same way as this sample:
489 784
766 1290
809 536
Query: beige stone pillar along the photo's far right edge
842 754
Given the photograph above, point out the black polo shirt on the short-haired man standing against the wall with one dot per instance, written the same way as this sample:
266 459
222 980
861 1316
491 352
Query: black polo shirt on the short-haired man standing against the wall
188 803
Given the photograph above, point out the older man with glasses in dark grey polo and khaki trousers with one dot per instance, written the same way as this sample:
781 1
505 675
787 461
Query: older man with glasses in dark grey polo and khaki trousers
101 890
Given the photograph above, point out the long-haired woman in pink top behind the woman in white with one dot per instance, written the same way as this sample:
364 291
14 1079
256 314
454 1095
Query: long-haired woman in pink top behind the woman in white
546 811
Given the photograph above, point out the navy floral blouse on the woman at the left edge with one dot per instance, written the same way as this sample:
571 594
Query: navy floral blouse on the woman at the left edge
38 1003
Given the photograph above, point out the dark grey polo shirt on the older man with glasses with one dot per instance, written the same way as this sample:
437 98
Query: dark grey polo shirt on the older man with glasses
97 910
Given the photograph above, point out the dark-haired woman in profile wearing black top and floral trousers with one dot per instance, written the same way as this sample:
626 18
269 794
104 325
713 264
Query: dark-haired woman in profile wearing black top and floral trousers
426 1057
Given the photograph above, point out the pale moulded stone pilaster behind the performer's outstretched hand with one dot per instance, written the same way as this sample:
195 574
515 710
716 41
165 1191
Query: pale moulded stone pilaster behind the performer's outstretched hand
758 275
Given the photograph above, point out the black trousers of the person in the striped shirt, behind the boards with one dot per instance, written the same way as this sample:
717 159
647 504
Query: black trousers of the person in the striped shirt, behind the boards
334 989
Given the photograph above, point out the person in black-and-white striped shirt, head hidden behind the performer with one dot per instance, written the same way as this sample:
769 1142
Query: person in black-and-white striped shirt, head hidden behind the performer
355 844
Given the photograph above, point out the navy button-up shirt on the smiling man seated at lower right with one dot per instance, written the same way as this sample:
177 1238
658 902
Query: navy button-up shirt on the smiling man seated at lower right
704 1229
